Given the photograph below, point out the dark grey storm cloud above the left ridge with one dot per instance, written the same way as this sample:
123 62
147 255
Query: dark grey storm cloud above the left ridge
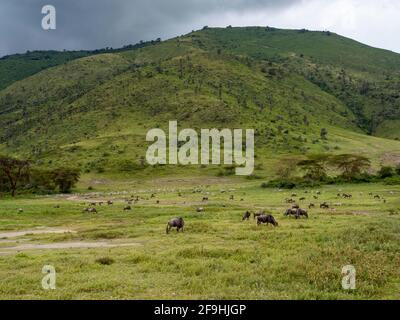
90 24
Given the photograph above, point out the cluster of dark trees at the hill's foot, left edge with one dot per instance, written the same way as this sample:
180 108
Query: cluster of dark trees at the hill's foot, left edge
20 175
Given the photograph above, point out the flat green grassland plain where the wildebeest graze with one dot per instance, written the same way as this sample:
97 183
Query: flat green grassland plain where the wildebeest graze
218 255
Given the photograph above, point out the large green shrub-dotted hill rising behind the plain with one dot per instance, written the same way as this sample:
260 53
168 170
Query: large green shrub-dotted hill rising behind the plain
287 84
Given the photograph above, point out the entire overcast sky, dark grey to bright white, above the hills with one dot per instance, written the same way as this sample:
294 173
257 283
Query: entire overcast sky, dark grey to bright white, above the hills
91 24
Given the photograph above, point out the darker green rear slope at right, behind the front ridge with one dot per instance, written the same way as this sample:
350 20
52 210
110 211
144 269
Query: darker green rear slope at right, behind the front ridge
365 79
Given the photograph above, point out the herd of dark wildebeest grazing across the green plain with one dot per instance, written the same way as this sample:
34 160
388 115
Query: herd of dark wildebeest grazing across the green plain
260 216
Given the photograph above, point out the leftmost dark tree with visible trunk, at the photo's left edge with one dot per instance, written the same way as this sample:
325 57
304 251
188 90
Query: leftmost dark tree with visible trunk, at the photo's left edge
15 170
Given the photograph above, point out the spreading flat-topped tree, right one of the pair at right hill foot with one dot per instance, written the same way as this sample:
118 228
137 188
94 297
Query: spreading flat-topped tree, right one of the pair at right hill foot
351 165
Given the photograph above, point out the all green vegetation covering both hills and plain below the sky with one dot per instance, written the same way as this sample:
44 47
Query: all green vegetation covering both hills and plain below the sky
325 110
